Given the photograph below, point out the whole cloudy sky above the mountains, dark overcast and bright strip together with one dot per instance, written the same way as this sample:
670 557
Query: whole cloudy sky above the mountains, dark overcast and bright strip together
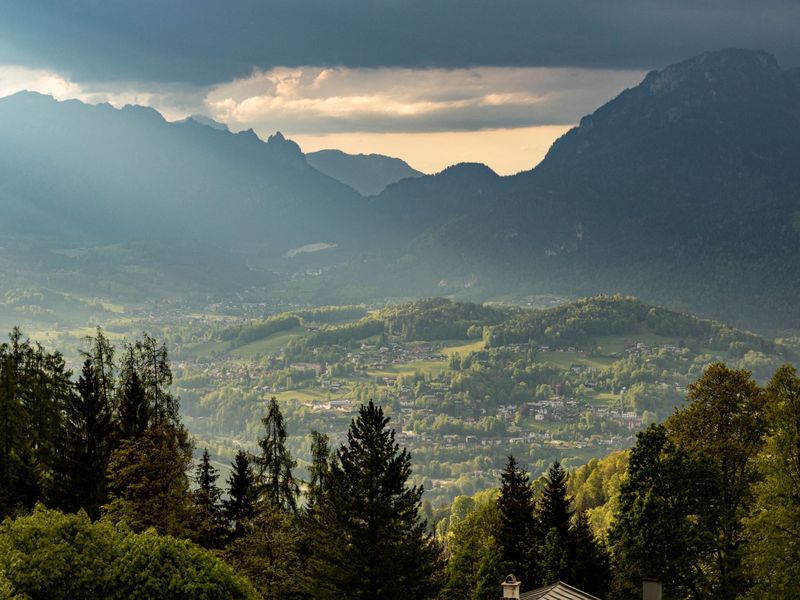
432 81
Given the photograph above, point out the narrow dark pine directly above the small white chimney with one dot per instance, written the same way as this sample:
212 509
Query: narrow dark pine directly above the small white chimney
517 524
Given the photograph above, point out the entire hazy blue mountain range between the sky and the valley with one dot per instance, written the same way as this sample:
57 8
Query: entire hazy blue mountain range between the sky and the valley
683 190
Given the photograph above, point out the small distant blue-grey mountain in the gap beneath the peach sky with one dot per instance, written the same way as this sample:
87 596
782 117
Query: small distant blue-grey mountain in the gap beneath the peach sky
369 174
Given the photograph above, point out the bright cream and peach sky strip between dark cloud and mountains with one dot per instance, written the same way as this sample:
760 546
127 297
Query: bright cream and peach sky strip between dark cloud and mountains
506 117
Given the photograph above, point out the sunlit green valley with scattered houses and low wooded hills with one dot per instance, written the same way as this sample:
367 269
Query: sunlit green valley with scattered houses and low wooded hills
464 384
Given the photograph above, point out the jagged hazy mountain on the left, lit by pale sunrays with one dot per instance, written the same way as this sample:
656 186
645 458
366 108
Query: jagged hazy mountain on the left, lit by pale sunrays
82 171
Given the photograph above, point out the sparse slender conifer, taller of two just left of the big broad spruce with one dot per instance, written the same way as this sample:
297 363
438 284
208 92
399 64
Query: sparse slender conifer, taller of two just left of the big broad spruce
277 484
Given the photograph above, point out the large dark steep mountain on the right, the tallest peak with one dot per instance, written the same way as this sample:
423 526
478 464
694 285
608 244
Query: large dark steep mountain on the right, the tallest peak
683 190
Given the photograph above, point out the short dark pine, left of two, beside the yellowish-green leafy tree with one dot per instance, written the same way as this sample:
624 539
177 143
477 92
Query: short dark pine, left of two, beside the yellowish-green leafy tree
208 521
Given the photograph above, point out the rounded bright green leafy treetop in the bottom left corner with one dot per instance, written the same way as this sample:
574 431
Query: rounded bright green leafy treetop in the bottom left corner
52 555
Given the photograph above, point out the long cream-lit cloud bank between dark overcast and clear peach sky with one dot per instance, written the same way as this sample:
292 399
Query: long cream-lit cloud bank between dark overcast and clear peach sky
314 100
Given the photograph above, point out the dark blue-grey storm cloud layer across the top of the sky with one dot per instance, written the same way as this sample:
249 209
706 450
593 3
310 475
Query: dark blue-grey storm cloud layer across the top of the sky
205 42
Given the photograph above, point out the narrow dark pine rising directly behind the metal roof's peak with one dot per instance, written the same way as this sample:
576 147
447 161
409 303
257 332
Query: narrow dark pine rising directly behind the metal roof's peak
553 521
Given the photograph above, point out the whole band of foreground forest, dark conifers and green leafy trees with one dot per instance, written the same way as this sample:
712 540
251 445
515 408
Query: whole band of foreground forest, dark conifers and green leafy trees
99 470
